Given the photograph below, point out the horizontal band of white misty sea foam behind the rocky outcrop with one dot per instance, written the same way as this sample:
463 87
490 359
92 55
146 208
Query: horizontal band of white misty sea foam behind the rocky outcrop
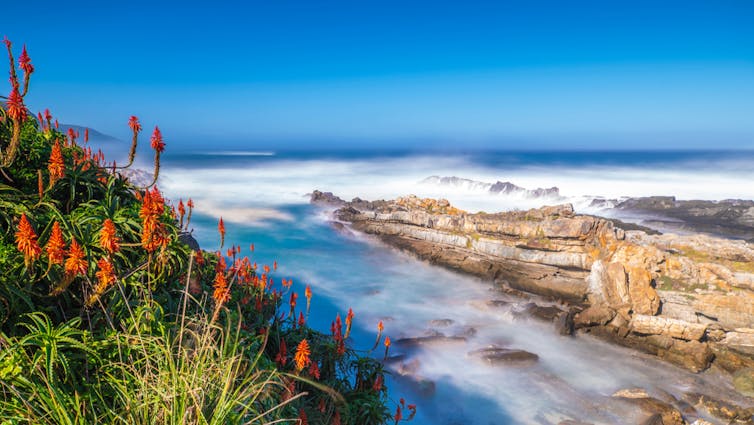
288 181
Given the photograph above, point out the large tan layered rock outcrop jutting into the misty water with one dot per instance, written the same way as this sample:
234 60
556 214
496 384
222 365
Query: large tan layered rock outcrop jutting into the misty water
686 299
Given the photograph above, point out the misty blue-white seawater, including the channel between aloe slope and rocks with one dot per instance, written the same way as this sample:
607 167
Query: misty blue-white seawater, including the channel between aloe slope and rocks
263 200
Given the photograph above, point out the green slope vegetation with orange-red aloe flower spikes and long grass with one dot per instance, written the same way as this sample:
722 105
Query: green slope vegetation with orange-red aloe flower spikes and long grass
107 315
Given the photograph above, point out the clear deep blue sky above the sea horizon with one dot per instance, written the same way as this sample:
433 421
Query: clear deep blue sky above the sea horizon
498 74
